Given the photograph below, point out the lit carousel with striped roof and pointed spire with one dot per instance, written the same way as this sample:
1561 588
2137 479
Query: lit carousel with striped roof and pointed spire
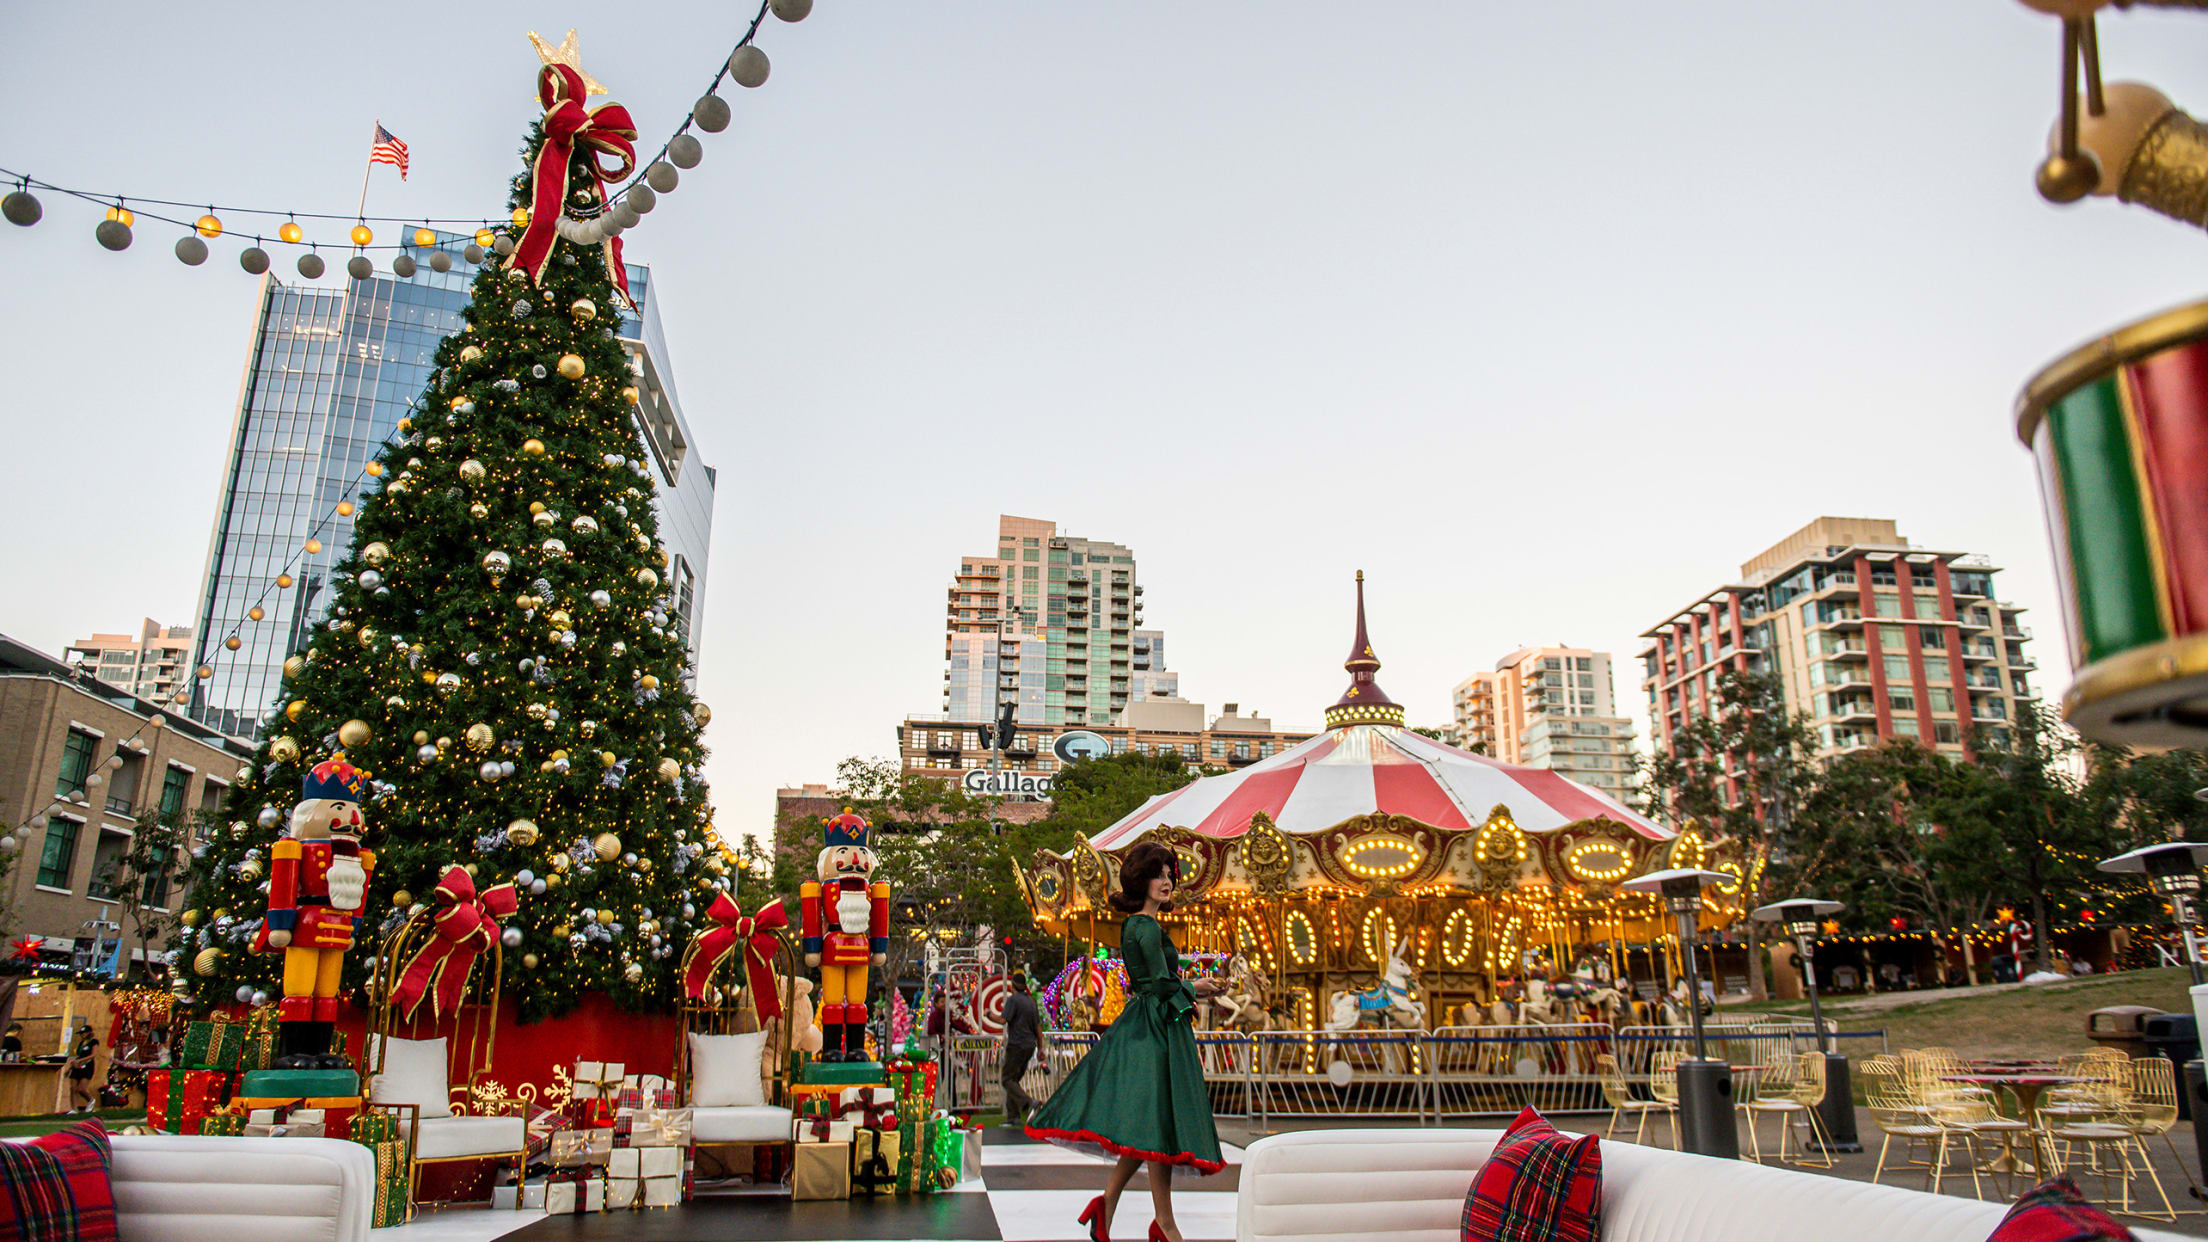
1372 876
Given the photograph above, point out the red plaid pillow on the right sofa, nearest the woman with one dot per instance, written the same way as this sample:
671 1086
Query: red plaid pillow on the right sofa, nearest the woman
1538 1188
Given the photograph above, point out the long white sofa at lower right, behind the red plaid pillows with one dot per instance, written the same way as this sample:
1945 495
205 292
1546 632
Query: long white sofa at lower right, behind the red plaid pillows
1408 1186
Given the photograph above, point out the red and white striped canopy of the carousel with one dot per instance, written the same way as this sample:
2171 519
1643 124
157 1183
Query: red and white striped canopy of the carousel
1361 770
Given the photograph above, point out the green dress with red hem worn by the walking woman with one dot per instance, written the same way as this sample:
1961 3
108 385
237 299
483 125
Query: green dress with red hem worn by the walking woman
1140 1091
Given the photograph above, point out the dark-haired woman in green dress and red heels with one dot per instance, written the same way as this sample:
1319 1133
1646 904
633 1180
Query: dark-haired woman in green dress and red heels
1140 1093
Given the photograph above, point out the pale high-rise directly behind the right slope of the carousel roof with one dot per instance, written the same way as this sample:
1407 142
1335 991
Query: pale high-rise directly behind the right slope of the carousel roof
1549 708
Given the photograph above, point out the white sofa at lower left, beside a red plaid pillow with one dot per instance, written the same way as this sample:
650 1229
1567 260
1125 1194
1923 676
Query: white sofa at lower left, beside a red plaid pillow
176 1188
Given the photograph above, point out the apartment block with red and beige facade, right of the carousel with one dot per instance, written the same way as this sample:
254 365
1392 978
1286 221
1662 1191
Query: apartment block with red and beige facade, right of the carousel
1871 638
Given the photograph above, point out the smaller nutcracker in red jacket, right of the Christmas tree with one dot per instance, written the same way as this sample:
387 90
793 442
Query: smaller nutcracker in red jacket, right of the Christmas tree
847 927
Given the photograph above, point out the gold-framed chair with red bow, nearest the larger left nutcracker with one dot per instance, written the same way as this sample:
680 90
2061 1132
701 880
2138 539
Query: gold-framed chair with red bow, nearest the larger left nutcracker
485 1122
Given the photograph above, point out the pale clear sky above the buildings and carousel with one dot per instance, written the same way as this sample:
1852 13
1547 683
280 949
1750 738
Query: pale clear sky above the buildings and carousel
1547 317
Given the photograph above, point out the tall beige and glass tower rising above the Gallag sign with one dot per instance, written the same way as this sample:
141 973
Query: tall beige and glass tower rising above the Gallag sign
1050 624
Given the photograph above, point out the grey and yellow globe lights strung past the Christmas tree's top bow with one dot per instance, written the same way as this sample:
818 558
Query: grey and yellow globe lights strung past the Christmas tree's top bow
624 209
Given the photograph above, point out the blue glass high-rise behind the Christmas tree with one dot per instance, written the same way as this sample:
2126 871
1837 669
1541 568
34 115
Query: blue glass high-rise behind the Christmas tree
330 377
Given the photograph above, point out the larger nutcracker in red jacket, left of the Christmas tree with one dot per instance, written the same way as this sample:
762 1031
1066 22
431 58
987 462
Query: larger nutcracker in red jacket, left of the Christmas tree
319 883
